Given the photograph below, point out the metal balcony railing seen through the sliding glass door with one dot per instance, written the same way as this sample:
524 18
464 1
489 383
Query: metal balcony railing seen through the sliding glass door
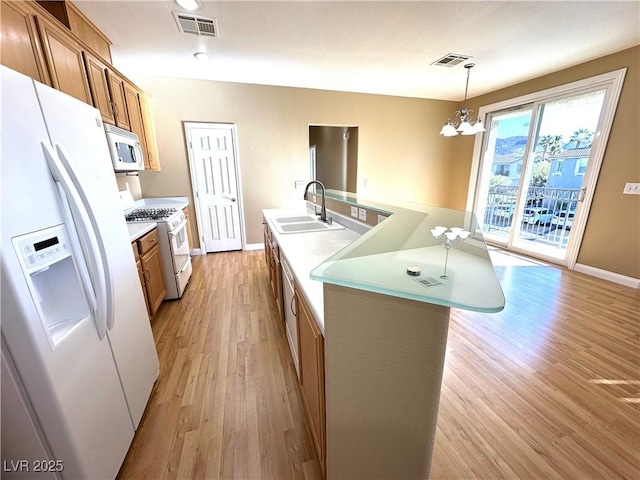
547 217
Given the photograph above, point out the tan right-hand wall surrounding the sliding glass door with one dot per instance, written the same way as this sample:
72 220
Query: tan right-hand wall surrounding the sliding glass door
612 238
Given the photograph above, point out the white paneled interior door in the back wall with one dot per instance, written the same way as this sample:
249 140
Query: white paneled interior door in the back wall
214 172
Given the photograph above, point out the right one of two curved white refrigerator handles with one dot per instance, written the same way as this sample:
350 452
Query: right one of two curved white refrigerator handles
98 249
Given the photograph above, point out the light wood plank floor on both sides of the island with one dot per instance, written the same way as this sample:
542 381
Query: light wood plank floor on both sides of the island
547 389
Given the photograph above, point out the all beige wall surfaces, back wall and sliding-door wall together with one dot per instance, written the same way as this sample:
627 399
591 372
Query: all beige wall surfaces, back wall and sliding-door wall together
400 153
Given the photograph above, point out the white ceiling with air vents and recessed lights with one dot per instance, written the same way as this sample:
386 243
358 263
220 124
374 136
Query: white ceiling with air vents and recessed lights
370 47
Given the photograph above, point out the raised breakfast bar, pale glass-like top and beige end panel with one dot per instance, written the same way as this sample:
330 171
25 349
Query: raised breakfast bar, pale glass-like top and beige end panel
385 334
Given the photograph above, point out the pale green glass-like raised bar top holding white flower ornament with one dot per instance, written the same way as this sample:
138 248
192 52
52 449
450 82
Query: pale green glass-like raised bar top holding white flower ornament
378 260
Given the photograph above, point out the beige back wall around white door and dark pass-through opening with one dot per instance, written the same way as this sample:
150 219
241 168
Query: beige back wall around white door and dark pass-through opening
400 152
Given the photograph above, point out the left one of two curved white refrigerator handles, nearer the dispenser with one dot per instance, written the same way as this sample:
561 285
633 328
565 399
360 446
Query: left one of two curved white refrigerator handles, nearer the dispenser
80 218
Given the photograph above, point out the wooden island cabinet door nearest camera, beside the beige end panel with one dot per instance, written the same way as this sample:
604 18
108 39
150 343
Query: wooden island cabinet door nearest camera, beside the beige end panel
311 358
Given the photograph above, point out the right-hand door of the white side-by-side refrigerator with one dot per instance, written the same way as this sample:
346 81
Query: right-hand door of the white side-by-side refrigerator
77 133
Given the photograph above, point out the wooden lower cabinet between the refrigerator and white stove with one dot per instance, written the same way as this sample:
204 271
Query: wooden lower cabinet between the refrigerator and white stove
150 270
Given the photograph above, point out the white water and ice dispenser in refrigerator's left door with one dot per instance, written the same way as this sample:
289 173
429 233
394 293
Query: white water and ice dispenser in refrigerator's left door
52 276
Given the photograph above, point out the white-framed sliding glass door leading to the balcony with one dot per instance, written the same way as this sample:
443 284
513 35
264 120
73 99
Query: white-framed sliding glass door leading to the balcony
536 167
